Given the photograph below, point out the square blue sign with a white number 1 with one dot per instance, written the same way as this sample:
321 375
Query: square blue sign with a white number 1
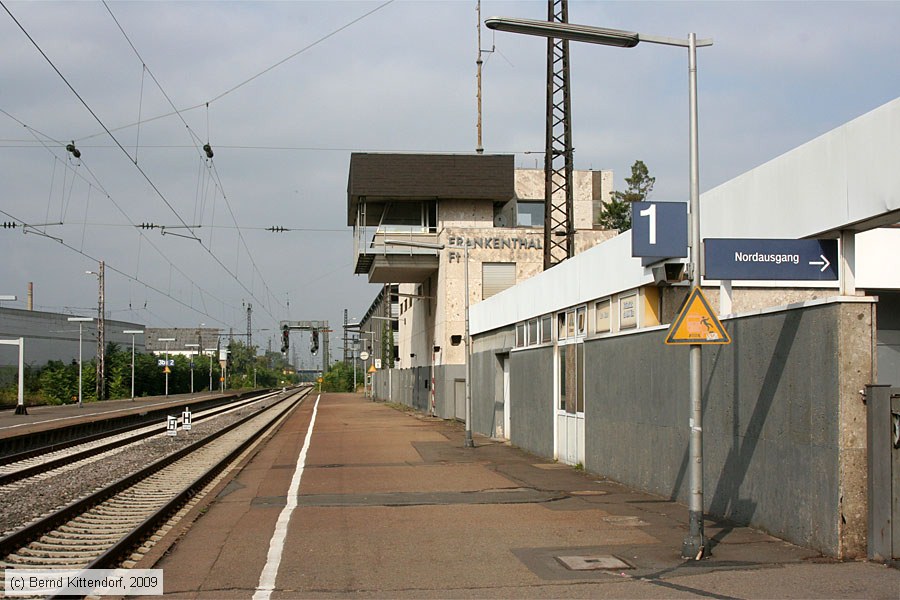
658 230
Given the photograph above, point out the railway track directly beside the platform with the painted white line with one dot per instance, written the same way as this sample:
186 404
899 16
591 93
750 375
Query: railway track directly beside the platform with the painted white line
103 529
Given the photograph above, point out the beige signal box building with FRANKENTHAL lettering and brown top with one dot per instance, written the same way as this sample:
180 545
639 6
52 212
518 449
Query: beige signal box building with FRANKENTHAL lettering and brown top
416 218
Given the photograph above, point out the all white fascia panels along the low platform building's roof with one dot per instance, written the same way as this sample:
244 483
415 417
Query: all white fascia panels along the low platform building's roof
845 176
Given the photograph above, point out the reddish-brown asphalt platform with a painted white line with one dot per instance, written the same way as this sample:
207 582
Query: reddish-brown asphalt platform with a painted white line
351 498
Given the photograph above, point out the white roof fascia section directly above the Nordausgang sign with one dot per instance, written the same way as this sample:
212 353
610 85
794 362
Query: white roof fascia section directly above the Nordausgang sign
845 176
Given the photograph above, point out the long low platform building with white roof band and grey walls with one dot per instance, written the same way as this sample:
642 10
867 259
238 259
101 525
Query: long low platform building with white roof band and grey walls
573 366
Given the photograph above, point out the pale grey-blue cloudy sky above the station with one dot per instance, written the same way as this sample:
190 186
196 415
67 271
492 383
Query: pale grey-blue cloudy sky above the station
283 92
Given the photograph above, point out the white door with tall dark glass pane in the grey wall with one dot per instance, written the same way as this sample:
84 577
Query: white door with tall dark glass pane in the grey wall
570 403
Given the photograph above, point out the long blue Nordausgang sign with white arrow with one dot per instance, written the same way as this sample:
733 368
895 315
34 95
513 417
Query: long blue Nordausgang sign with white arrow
795 260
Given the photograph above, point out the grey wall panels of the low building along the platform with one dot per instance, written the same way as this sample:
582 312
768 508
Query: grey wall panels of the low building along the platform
784 426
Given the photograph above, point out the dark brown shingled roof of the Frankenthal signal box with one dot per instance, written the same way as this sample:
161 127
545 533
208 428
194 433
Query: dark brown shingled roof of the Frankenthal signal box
392 177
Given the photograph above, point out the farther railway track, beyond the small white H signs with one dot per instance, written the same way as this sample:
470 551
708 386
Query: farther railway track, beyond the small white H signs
36 463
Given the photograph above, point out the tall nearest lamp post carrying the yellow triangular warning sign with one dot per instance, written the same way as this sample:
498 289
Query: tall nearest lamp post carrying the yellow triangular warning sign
694 545
